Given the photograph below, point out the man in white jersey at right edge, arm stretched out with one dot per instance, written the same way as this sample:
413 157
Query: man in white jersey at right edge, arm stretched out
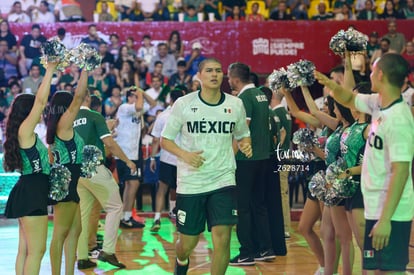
386 180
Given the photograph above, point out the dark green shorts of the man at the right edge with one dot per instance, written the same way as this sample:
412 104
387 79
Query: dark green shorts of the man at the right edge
393 257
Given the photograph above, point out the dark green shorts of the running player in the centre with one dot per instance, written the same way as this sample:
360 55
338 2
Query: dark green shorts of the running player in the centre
218 207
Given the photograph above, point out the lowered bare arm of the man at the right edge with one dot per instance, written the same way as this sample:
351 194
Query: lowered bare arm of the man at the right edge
381 231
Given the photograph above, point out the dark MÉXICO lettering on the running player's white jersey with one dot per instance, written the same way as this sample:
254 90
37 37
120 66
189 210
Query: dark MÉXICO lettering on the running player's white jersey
210 127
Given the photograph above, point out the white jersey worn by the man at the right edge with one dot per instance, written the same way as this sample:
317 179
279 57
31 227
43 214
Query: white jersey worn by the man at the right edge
391 139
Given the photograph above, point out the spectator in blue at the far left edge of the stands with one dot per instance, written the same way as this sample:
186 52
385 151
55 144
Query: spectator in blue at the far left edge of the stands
8 62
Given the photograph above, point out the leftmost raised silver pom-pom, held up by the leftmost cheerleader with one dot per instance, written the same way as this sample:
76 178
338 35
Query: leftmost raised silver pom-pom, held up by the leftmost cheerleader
53 51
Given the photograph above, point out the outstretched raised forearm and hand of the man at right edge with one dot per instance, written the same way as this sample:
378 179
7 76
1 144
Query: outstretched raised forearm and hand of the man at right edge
339 93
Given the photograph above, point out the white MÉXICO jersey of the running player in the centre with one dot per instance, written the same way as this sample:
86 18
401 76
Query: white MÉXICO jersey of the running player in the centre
211 129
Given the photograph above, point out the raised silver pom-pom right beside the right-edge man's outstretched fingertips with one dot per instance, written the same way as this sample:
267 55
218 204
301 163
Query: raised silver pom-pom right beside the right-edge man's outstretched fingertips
301 73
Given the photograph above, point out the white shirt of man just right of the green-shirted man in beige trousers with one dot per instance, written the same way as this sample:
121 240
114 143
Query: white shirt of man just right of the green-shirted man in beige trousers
128 131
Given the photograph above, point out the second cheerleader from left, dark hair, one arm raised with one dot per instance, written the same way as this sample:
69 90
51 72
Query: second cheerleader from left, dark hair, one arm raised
66 149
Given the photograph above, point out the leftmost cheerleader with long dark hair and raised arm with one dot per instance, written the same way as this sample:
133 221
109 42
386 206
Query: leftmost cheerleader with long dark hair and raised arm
24 152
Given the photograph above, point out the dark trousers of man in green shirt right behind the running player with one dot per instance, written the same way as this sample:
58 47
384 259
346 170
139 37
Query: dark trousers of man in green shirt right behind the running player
251 178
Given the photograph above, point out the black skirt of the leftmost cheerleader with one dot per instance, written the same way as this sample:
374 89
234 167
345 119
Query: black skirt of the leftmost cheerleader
28 197
